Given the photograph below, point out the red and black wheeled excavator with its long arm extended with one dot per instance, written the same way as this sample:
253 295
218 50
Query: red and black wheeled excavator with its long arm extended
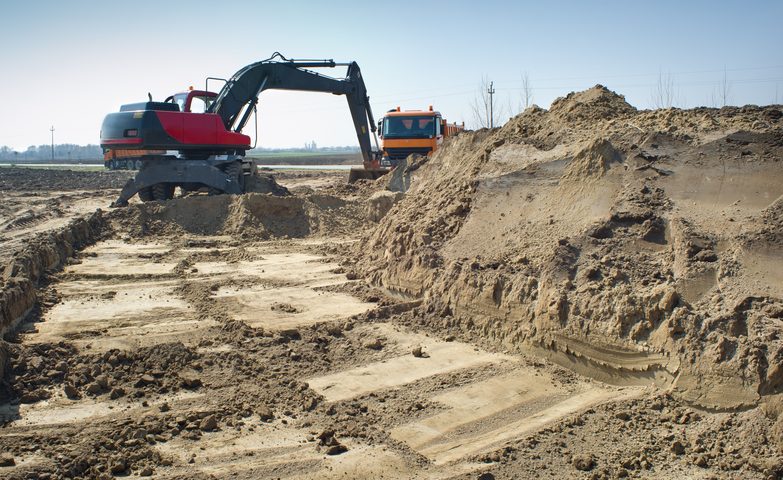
194 151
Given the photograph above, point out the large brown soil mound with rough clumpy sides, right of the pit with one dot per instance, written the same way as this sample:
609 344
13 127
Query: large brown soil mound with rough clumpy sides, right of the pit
631 246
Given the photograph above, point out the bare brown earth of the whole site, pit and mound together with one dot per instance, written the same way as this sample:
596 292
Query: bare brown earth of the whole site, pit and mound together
588 292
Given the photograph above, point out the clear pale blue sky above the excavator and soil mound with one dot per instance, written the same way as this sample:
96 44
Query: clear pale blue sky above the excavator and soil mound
68 63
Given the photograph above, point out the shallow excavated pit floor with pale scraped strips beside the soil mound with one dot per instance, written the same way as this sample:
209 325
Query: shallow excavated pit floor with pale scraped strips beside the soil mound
202 305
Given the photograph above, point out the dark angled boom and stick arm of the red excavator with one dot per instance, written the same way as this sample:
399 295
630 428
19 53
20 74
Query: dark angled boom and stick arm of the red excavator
238 98
